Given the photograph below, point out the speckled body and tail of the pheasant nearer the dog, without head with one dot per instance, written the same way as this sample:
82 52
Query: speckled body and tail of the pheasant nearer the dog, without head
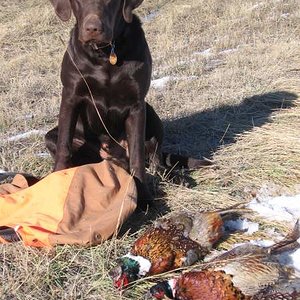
181 240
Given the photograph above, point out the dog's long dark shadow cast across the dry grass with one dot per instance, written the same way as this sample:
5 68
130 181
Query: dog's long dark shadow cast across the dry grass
202 133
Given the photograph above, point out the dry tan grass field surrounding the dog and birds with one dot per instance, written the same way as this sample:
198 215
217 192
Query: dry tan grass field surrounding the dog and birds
226 83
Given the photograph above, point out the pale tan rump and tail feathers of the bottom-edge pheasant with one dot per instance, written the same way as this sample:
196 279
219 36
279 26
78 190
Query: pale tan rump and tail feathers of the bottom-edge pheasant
254 268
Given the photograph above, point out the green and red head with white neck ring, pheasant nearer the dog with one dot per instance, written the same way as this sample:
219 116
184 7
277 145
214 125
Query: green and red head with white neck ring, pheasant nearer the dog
129 269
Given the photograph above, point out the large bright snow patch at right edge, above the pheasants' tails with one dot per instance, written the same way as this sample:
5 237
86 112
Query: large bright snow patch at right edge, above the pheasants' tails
280 208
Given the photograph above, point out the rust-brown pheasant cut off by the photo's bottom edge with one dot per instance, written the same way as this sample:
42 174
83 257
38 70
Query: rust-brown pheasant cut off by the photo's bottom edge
245 272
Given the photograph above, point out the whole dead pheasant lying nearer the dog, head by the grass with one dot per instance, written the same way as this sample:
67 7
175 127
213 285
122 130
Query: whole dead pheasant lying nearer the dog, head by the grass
171 243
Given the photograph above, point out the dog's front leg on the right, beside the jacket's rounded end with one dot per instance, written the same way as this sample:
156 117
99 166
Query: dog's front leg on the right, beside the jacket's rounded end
135 131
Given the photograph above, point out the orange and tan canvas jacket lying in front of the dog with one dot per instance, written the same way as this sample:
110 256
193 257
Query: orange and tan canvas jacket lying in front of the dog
82 205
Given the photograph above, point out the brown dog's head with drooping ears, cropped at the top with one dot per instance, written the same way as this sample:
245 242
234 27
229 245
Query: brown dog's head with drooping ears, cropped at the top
96 19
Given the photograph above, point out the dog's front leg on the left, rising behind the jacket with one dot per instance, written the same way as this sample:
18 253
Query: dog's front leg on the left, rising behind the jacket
68 115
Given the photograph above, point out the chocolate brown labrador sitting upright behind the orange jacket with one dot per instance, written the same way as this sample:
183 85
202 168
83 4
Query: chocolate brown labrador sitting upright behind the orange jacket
105 73
